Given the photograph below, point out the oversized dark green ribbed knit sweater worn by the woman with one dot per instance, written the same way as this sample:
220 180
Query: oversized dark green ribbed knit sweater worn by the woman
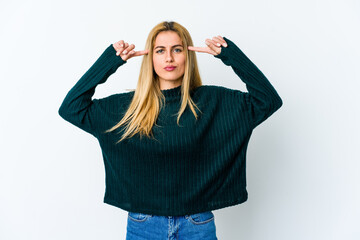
197 167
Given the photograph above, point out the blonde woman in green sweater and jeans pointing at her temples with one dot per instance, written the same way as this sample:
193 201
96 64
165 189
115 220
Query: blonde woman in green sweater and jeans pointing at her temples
182 149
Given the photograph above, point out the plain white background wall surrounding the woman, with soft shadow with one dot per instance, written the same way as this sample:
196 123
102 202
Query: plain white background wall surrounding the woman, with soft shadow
302 163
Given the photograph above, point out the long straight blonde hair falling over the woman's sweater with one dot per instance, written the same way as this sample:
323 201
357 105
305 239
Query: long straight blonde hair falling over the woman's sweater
148 99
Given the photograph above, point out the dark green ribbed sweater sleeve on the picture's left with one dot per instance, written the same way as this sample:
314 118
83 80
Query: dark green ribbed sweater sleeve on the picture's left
78 108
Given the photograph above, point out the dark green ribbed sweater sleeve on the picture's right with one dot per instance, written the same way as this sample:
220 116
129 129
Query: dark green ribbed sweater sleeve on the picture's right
262 100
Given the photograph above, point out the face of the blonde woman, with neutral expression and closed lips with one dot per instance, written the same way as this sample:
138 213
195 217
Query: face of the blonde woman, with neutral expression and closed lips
169 51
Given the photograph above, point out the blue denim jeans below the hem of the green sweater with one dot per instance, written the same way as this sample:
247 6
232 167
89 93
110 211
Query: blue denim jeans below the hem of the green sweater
152 227
